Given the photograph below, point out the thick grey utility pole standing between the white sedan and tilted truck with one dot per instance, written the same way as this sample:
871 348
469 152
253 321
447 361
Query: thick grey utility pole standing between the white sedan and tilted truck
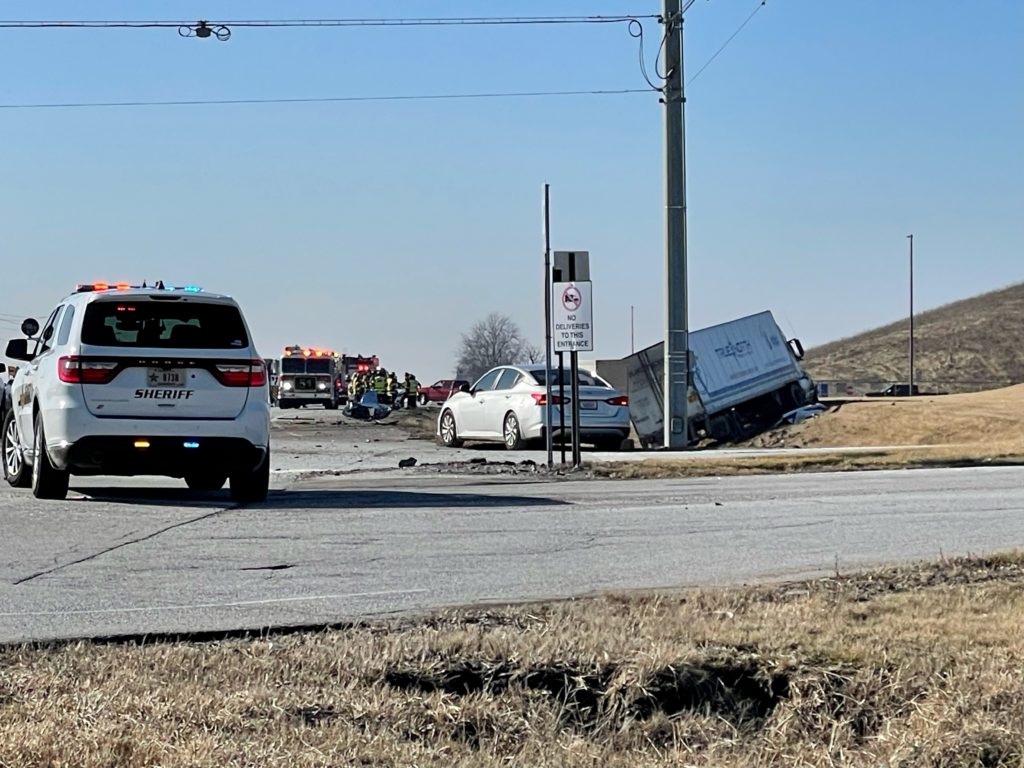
677 354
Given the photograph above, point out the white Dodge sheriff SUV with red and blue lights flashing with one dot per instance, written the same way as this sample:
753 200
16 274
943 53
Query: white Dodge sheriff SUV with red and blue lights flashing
137 380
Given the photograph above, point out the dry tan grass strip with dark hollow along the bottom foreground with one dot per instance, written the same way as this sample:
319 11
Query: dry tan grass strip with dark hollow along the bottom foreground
908 667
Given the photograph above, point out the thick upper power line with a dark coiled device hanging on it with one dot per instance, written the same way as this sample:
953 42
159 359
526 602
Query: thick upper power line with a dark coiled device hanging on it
281 23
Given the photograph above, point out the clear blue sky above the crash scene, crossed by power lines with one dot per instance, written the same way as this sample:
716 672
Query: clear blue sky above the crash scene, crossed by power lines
823 136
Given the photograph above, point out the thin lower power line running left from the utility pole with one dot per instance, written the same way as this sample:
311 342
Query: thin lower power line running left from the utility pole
320 100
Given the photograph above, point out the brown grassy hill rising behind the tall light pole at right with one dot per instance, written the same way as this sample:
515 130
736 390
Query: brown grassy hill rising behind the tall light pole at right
977 344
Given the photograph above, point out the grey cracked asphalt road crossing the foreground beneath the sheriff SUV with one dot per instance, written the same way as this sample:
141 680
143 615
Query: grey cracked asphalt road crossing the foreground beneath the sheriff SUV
124 561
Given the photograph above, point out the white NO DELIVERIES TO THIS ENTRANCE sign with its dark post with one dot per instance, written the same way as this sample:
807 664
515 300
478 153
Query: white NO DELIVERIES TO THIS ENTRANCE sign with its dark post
573 324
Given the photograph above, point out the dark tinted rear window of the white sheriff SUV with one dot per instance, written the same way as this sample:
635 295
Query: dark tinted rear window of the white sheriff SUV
188 325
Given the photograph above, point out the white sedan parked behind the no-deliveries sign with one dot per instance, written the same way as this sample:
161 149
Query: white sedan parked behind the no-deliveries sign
509 405
